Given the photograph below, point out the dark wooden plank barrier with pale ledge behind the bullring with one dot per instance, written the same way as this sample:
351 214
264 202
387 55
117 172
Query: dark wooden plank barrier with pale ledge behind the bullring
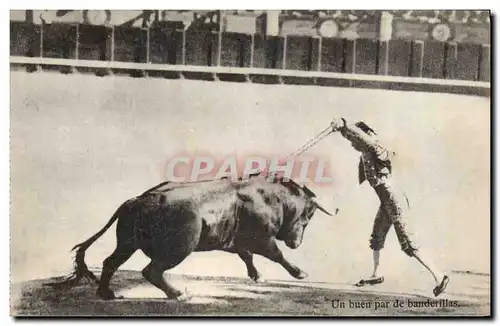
338 58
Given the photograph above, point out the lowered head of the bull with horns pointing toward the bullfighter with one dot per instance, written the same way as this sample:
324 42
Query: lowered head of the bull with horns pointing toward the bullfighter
297 217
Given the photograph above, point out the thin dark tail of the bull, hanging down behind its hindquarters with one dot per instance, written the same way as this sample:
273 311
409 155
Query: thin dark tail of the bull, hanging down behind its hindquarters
81 271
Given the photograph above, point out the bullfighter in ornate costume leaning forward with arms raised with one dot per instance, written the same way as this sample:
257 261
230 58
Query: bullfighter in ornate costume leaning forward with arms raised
375 166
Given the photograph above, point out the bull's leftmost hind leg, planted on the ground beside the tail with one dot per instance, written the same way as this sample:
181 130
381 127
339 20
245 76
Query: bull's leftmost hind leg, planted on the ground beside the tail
121 254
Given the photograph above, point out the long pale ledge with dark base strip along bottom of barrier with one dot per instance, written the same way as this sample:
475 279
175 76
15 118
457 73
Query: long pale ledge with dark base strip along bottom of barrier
267 76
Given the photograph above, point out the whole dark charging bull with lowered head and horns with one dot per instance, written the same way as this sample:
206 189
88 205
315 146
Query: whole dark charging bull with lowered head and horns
170 221
